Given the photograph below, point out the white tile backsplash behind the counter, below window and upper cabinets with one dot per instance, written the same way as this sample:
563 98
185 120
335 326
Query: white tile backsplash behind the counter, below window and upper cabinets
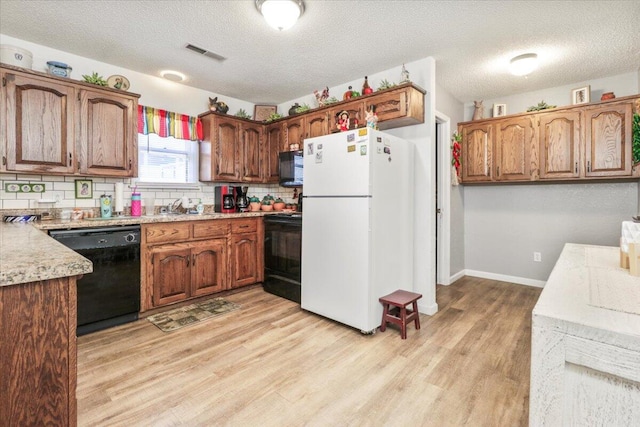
61 190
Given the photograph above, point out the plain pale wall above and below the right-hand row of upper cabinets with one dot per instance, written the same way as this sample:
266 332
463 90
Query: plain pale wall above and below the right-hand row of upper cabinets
504 224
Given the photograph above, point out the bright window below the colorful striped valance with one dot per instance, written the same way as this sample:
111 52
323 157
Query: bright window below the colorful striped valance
167 159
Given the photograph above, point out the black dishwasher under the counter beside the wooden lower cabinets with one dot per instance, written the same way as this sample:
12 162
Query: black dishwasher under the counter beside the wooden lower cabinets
110 295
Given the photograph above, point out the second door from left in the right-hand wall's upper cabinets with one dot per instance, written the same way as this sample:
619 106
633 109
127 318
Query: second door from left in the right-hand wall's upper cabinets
514 144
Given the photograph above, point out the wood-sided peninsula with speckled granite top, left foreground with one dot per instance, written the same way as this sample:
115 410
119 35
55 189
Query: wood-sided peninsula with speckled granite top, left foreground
37 327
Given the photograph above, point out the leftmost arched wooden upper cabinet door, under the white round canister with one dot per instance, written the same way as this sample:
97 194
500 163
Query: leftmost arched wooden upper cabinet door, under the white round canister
39 125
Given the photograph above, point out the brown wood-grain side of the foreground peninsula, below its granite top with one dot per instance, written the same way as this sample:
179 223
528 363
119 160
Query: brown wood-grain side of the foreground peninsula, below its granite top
38 353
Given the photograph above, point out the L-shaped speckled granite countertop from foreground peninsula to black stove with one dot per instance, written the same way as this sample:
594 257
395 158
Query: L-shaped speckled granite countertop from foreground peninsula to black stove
28 254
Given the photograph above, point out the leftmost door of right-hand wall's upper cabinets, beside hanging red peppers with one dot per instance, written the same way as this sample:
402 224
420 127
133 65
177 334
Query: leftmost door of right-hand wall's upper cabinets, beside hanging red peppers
477 145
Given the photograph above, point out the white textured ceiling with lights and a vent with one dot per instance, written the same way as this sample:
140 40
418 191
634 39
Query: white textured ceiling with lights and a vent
338 41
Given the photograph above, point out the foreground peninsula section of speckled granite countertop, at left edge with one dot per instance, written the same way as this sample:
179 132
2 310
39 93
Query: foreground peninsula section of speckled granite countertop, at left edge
28 255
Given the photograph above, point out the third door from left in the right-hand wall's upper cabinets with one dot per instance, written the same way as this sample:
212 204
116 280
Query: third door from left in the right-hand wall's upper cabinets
559 144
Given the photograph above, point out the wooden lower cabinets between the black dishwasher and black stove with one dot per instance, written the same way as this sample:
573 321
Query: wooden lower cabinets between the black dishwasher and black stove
184 260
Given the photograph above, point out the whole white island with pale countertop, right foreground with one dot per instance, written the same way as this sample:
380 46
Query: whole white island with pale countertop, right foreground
585 353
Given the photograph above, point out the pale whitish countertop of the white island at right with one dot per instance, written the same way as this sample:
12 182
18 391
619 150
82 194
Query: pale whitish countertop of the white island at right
588 295
